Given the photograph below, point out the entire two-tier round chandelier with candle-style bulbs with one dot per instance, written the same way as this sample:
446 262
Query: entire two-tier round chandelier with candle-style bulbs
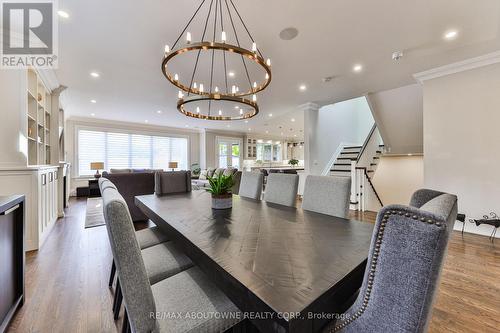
217 103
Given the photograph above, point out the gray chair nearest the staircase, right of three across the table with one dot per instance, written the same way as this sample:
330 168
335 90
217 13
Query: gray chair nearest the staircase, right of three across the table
327 195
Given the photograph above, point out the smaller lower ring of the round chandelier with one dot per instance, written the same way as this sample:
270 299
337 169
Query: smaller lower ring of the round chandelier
182 102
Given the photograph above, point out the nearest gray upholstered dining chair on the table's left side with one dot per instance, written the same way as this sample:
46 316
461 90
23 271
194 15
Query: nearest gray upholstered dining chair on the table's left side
148 304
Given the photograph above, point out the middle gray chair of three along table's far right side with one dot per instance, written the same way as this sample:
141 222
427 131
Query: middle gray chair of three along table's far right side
282 189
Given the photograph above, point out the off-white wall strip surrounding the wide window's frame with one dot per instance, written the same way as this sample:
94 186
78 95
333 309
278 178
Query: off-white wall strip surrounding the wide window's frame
70 144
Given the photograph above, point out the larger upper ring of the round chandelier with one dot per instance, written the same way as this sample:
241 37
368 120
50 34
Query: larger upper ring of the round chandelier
216 46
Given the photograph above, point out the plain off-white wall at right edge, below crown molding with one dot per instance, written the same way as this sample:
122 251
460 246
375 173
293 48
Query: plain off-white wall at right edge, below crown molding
462 140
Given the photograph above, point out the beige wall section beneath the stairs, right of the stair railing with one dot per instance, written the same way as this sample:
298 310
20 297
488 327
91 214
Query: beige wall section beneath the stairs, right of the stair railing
397 177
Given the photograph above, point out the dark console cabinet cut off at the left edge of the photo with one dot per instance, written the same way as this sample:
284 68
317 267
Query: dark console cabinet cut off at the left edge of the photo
12 257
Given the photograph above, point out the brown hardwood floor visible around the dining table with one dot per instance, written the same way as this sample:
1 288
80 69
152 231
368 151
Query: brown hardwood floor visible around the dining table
67 291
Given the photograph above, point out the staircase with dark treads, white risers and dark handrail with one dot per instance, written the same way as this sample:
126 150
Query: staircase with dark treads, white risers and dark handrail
360 163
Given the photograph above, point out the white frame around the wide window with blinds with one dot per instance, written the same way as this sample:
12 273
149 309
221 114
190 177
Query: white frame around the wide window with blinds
79 127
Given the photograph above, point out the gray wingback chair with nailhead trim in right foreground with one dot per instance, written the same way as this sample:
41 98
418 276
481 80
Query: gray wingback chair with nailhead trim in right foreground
404 264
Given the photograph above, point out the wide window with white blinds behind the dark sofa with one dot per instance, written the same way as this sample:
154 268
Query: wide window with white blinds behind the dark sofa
126 150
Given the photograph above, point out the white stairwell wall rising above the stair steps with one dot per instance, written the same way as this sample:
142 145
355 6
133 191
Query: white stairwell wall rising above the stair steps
349 121
